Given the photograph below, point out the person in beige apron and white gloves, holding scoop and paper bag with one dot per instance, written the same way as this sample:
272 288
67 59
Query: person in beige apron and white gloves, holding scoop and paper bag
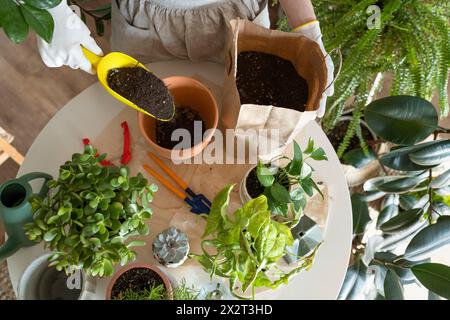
154 30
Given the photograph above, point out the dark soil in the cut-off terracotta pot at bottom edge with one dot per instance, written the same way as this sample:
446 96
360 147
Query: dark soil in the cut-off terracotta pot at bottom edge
137 280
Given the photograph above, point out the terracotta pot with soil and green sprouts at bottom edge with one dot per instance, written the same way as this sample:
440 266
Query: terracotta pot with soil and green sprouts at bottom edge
139 281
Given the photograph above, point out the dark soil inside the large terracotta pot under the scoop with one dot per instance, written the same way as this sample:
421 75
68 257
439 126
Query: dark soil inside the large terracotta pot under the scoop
184 118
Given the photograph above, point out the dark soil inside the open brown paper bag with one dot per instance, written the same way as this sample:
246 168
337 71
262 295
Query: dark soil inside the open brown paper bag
265 79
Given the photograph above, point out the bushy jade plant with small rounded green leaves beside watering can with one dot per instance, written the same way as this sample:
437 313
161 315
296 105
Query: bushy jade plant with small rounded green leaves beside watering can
89 213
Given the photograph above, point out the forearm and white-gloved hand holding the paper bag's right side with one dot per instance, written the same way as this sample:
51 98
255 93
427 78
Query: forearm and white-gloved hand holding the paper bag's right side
301 17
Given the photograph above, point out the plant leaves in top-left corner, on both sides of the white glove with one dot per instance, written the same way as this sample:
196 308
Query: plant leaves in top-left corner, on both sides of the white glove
18 16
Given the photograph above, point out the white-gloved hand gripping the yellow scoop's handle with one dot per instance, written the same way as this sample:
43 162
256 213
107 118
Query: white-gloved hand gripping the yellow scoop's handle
70 33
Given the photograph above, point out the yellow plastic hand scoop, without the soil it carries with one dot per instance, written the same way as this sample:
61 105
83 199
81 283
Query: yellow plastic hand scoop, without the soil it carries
116 60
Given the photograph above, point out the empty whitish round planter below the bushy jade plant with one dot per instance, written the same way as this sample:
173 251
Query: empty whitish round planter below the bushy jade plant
41 282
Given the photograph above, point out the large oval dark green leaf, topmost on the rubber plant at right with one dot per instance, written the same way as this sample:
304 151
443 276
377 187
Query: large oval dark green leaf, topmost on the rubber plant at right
403 120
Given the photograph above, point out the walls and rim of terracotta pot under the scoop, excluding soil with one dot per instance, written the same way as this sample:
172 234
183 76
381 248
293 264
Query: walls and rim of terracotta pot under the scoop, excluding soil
186 92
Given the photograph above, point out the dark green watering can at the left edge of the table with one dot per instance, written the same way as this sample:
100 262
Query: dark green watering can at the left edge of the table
15 210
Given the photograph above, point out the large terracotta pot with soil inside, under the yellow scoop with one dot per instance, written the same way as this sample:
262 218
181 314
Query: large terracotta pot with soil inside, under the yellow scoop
196 112
